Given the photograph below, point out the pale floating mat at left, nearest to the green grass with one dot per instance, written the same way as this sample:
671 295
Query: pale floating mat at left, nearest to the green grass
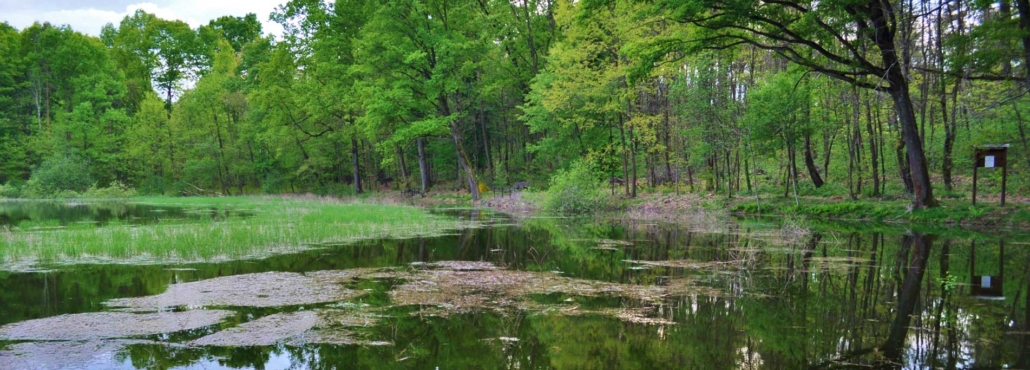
261 290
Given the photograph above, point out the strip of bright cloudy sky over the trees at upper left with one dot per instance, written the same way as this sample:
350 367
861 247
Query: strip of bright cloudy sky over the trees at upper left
90 16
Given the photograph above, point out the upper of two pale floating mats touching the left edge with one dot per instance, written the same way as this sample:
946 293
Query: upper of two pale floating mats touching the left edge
110 325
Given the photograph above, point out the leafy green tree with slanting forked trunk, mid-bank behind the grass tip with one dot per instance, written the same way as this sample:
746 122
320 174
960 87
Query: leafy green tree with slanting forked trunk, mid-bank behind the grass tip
434 50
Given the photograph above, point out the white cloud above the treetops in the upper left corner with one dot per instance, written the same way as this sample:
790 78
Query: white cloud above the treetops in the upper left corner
194 13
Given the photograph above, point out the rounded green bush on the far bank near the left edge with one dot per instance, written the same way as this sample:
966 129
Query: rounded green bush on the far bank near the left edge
59 175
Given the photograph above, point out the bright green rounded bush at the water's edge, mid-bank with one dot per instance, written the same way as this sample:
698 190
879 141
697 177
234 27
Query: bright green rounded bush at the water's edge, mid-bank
575 191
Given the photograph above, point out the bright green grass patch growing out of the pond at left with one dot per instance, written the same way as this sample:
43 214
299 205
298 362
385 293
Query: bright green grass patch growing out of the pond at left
278 225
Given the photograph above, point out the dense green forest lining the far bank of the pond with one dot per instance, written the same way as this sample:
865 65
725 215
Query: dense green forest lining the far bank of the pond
856 99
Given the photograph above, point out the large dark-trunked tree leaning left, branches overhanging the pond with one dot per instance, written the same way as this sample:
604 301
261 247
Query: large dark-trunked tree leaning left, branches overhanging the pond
854 42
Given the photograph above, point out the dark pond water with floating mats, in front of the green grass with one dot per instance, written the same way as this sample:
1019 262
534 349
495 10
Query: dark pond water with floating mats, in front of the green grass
546 293
